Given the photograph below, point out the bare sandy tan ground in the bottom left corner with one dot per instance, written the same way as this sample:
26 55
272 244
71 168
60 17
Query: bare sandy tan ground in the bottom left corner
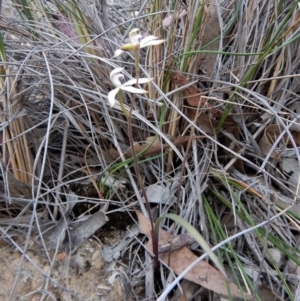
79 277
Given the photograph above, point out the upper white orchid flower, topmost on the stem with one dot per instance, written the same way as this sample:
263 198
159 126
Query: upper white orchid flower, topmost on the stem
137 41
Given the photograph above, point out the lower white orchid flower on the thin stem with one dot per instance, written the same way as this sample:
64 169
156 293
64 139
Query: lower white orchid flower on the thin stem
117 78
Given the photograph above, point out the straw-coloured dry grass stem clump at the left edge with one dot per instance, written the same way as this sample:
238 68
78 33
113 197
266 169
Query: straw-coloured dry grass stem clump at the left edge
16 152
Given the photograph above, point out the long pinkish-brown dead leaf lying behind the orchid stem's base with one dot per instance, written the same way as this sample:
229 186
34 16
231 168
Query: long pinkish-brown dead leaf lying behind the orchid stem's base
203 274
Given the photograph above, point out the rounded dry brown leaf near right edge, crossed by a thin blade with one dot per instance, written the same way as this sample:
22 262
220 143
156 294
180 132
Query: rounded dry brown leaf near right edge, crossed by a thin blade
271 134
